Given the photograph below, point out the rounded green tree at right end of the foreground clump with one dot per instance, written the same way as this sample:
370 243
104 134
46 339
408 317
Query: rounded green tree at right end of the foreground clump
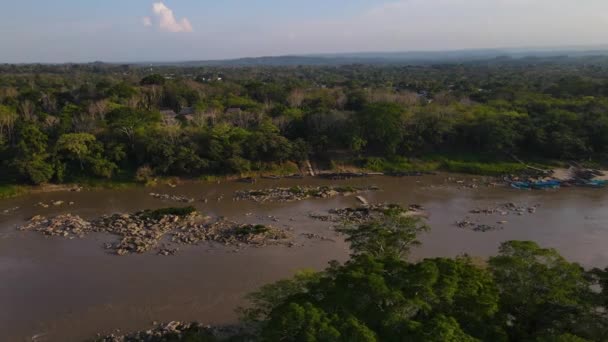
542 293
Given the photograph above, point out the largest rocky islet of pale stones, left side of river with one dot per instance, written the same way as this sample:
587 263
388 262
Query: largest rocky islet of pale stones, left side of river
143 231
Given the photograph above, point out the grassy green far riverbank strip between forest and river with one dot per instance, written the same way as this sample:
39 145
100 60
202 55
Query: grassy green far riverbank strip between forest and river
470 165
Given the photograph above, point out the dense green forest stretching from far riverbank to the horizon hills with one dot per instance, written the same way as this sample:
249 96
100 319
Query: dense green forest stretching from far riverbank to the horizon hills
65 123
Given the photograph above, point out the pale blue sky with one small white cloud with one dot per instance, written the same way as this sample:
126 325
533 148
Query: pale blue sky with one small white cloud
57 31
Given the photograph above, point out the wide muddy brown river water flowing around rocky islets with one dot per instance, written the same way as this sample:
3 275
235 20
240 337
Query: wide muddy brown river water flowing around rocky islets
55 289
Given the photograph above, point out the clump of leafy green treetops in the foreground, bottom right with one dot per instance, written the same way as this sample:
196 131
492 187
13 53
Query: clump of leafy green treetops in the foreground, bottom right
526 294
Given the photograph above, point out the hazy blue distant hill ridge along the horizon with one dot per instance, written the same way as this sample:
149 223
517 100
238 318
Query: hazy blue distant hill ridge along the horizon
388 58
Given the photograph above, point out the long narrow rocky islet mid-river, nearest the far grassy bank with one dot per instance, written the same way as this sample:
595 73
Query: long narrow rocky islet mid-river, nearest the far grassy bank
299 193
